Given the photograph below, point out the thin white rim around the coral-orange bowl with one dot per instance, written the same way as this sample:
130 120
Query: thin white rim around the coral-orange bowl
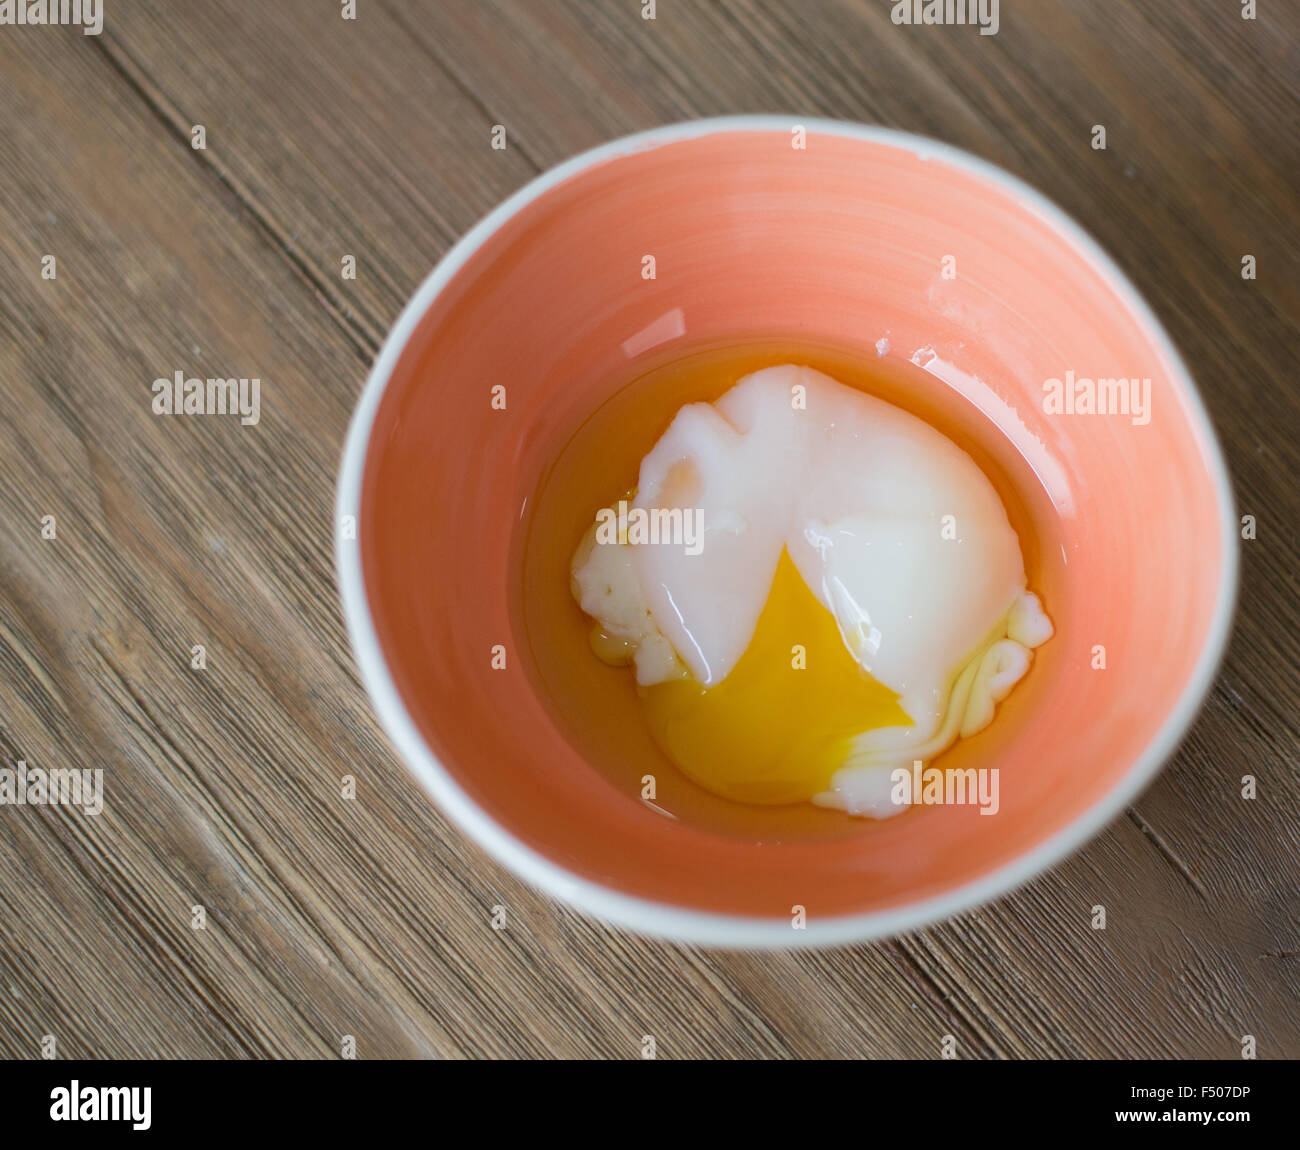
682 925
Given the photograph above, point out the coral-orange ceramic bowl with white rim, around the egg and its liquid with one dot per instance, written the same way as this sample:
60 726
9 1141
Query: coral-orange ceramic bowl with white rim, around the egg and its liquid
834 235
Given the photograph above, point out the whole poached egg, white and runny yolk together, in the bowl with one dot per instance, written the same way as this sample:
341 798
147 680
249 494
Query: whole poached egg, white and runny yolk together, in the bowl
855 598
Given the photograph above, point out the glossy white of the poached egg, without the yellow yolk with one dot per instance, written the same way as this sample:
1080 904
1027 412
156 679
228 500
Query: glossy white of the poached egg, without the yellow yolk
894 528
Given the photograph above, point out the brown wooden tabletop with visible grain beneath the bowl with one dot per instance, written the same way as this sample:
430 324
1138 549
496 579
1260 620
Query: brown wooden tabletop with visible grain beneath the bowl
328 138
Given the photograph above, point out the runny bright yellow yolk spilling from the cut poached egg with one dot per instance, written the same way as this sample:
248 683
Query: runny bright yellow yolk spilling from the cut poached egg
782 723
